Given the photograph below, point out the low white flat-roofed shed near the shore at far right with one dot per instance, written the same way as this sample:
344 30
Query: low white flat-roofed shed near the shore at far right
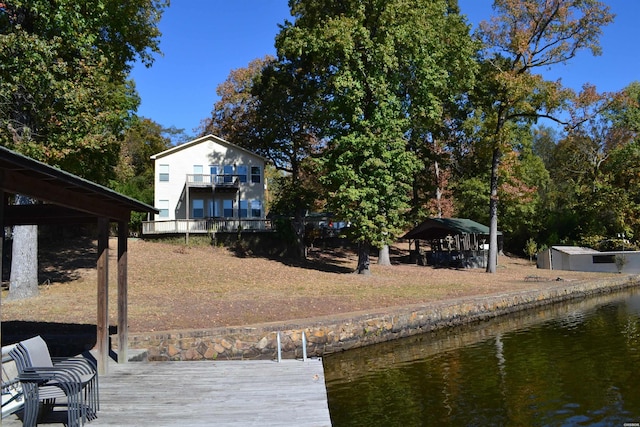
575 258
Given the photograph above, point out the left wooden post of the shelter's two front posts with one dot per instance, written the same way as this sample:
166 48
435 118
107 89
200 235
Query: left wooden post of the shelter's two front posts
103 296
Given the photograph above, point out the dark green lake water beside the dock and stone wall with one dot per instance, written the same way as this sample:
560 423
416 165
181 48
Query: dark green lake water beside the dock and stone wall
563 365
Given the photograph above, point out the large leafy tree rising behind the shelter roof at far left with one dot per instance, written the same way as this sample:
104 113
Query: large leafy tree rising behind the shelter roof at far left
64 95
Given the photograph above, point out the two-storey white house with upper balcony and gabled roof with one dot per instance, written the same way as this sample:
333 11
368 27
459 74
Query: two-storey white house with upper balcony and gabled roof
208 184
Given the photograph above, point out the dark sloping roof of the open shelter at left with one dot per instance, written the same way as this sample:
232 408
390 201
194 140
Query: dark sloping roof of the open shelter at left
68 198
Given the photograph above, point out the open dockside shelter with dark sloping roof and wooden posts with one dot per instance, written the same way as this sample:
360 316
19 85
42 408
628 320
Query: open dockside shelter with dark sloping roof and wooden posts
68 199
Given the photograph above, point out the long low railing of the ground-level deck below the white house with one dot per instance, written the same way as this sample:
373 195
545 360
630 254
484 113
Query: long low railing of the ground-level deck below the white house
205 226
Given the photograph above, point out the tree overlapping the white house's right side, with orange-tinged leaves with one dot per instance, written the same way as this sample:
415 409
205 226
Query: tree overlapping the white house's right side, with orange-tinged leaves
265 108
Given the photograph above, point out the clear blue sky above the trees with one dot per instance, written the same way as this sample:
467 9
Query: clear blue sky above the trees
203 40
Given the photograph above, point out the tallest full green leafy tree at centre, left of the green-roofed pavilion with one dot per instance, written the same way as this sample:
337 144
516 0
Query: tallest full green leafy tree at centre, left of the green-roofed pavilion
377 63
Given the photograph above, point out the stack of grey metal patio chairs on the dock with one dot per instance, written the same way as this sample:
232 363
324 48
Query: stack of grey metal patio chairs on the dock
45 379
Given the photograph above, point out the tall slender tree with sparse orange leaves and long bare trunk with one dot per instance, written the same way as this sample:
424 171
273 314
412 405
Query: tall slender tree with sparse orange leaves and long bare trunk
524 36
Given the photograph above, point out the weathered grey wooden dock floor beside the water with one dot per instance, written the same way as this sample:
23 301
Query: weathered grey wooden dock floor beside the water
205 393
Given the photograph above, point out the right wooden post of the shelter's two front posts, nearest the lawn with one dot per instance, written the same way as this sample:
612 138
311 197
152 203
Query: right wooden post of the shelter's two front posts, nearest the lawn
123 325
